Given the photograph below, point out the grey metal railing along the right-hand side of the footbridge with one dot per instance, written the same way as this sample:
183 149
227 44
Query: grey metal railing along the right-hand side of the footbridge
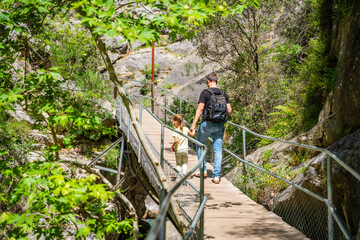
332 213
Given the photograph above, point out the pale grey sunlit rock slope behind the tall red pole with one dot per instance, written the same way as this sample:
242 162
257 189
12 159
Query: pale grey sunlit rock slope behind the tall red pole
179 65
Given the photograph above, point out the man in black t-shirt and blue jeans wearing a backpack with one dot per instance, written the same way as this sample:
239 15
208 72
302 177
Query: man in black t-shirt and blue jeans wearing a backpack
214 106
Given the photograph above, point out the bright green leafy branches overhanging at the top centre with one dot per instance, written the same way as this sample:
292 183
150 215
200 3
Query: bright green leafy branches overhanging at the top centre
181 18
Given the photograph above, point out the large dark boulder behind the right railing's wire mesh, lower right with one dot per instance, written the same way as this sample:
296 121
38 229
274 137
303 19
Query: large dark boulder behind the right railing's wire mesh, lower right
304 212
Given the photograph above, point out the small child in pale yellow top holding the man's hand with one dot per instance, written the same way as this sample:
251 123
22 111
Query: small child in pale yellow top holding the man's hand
180 145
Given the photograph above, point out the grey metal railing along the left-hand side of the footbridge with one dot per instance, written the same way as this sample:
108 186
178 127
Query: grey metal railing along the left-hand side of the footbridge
158 231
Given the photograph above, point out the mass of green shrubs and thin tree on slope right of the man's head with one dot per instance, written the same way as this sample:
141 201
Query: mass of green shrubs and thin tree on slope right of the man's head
276 88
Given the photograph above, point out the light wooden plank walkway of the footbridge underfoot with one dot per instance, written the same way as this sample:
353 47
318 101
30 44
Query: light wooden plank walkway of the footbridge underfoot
229 213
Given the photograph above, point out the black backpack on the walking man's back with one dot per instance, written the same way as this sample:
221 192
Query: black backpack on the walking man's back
216 110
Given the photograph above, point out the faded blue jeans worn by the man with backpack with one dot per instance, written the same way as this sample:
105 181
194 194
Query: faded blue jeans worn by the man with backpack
216 130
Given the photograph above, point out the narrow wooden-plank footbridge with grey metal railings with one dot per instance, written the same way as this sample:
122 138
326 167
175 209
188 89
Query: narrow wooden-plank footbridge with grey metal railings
195 207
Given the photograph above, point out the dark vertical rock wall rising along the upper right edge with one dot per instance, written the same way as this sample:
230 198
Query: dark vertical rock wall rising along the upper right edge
341 112
